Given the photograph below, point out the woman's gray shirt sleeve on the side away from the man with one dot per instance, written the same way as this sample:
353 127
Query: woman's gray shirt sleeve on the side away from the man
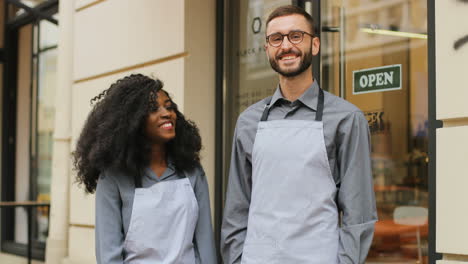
109 229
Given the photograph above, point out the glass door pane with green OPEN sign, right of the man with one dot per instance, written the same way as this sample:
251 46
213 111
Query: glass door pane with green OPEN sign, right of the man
380 34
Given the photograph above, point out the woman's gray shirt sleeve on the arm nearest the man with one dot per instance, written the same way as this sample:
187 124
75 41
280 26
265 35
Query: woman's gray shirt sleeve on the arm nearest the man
205 251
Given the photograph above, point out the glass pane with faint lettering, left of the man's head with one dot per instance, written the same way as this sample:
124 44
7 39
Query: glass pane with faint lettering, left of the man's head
249 75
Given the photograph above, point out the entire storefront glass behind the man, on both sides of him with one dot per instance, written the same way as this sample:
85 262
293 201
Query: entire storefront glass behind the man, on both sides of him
373 54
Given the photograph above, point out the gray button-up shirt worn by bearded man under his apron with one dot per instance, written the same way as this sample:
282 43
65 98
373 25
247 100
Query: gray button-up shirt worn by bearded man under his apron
347 141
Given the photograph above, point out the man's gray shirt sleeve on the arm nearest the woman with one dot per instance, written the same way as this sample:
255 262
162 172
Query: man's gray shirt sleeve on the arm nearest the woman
236 210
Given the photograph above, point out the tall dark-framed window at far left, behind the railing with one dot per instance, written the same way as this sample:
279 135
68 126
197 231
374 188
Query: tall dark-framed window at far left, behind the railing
35 112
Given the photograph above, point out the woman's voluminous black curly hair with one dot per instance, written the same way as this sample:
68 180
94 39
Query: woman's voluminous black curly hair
113 135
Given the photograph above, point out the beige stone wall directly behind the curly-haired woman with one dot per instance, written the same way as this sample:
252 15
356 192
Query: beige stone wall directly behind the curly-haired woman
172 40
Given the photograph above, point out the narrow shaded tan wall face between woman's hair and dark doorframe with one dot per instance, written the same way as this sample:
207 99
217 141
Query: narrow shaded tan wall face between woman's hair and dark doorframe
200 69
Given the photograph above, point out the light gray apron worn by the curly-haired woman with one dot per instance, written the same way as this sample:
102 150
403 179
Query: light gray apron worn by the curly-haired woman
162 224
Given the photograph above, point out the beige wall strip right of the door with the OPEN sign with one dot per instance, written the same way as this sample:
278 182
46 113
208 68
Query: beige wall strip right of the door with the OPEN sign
452 146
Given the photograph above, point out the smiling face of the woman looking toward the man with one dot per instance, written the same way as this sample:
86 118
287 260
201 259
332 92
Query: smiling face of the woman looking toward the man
160 124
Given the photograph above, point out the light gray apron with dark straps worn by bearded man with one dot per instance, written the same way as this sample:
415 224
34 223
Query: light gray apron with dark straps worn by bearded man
293 217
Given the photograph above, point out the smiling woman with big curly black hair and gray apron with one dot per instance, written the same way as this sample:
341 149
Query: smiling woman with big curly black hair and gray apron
141 156
